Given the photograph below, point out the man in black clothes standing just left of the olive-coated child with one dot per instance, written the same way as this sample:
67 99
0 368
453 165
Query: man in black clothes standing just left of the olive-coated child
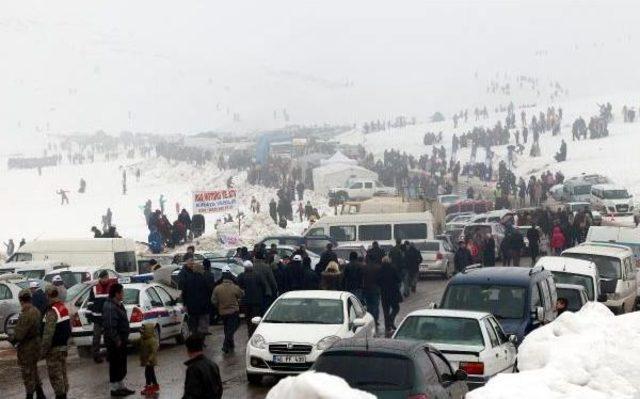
116 334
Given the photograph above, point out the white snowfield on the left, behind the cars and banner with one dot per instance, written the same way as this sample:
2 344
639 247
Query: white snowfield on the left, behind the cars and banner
32 208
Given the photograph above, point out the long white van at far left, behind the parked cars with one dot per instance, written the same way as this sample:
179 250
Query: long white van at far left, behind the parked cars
114 253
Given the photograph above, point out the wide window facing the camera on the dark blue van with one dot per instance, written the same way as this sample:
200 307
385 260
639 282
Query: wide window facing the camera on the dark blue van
504 302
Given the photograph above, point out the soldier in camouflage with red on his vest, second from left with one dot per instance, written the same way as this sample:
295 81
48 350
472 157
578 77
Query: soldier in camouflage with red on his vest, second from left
57 331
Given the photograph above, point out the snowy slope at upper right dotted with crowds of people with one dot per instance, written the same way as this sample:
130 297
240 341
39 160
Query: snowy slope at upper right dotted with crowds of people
615 156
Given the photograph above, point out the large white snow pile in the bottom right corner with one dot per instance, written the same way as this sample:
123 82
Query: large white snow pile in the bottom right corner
590 354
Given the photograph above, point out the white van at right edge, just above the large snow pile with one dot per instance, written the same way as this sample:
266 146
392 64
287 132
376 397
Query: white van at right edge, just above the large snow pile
617 271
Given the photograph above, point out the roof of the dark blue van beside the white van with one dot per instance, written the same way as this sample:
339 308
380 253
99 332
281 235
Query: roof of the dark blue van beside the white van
504 275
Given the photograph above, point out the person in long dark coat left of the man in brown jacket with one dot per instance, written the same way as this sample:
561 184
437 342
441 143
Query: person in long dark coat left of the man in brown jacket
195 295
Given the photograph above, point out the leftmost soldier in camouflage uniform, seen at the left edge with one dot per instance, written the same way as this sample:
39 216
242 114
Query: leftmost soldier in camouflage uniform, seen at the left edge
27 339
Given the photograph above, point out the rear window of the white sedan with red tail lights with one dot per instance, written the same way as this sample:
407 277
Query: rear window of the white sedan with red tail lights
441 330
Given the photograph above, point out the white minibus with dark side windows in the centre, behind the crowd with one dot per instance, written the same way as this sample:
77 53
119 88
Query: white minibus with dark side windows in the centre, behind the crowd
366 227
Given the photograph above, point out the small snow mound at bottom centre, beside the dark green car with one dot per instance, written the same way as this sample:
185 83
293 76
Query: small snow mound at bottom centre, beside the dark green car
315 386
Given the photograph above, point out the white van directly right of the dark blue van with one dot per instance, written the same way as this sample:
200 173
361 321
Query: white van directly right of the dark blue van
567 270
